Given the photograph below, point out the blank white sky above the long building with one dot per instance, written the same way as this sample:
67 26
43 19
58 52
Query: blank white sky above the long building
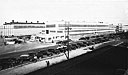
109 11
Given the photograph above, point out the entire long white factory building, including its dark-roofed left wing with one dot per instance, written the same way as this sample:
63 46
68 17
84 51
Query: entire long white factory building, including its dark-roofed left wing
53 31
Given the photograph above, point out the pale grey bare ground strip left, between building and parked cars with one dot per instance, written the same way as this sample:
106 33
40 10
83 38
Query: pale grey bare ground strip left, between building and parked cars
23 47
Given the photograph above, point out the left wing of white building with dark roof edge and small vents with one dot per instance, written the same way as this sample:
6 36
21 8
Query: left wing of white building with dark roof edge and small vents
22 28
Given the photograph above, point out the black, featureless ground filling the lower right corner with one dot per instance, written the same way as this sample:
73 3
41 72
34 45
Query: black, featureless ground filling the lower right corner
105 61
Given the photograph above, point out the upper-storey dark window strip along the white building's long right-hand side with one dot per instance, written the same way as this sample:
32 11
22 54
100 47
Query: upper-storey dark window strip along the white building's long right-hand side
63 25
